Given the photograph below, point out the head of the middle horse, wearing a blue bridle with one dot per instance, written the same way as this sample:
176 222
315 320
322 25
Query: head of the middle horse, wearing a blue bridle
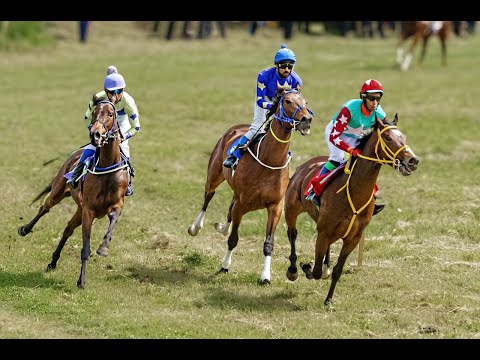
293 113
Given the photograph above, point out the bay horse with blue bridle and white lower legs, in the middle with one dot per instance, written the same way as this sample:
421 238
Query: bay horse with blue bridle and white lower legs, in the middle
260 178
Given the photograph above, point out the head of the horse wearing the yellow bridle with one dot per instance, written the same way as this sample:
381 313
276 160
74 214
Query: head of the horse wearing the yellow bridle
391 147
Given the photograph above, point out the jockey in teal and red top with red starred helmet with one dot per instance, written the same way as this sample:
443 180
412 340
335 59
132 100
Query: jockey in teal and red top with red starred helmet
355 119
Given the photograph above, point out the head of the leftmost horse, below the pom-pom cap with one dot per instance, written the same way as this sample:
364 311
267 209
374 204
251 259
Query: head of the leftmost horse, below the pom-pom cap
104 122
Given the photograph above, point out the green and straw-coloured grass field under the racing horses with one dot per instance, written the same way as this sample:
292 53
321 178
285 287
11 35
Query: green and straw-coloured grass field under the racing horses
420 273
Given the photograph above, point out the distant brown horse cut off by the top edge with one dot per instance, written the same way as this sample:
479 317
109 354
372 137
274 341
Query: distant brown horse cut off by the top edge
421 31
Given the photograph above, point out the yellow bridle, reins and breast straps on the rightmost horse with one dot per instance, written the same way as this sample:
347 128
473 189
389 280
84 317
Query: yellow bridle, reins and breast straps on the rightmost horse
395 163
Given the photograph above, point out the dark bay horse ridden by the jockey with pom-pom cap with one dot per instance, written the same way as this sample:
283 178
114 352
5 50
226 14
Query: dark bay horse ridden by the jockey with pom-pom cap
101 193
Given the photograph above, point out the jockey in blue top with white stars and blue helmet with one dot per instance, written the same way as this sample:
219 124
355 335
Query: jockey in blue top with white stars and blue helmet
270 83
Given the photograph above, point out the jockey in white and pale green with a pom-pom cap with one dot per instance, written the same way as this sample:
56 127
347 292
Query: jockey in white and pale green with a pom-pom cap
127 118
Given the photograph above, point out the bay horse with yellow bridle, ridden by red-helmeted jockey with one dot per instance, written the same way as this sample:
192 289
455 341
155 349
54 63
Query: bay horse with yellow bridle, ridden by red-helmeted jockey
346 203
